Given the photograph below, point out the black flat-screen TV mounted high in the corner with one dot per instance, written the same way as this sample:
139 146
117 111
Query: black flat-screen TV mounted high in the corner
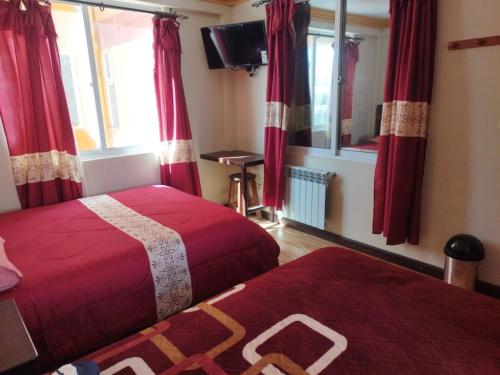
235 45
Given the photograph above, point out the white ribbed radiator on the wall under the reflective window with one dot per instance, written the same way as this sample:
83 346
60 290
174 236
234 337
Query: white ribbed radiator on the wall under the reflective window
306 195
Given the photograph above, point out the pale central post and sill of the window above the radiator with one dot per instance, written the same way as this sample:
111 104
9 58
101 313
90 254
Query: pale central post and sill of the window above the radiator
335 152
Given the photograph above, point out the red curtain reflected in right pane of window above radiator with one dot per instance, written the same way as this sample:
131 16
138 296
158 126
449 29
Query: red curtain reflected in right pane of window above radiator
351 58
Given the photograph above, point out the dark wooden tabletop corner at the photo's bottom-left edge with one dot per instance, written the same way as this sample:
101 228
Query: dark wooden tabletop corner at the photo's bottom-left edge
16 347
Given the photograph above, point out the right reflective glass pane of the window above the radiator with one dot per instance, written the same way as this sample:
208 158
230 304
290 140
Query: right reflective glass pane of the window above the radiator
364 63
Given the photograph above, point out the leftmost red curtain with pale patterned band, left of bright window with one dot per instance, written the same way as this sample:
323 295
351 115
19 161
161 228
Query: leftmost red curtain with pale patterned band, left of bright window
33 107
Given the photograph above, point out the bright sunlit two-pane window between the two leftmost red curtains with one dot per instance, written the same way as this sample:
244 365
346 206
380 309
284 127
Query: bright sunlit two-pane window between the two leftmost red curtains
107 68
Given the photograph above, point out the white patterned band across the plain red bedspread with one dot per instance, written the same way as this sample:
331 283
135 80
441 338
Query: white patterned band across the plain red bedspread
164 247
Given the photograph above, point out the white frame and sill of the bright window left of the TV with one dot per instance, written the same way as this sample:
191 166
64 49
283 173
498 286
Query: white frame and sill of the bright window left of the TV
103 151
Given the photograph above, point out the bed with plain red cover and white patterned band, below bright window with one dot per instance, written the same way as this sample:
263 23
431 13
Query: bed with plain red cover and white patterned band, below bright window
103 267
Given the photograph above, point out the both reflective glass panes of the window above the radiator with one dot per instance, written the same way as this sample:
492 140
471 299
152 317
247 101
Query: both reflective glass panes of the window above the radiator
364 59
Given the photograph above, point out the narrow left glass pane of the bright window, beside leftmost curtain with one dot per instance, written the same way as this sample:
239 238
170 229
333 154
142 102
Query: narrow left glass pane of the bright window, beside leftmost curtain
76 74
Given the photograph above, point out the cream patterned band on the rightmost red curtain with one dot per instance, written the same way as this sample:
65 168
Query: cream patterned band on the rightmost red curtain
405 119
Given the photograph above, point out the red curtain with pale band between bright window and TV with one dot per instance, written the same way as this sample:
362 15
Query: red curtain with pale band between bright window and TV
177 157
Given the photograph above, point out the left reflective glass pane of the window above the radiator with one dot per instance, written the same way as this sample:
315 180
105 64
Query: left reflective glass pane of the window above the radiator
311 108
